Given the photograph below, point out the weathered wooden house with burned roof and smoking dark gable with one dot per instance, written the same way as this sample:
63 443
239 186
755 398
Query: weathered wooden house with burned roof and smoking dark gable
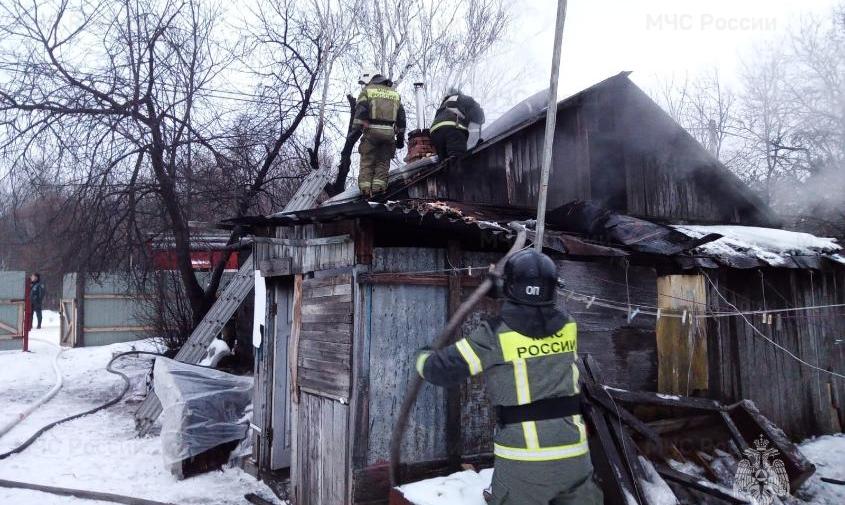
659 246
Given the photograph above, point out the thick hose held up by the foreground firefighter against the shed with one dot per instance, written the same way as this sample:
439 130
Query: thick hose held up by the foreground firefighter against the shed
443 339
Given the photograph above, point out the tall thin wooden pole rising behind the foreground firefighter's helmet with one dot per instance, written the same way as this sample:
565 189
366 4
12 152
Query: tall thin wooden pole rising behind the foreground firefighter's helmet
551 118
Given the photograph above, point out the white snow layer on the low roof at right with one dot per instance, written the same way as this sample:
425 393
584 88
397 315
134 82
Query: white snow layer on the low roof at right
769 245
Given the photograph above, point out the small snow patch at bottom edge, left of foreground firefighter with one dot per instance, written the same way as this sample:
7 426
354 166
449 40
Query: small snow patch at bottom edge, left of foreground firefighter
462 488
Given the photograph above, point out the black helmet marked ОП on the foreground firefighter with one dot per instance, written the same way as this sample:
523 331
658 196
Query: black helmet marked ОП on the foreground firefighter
530 278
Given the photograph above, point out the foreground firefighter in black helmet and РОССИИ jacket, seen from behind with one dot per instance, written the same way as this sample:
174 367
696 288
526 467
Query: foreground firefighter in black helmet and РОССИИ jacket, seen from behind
528 358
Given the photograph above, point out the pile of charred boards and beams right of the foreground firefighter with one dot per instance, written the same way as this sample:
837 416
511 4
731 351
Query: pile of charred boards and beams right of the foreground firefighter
648 446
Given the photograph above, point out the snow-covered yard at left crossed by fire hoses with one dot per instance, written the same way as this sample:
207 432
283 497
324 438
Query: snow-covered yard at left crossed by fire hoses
99 452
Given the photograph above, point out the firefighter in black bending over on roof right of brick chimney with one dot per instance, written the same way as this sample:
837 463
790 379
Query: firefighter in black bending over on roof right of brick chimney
450 128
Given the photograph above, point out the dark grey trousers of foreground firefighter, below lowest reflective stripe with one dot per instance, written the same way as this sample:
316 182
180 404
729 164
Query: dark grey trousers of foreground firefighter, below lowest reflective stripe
561 482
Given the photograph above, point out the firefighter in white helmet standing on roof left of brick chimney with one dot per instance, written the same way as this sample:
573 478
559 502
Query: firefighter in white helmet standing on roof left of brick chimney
379 113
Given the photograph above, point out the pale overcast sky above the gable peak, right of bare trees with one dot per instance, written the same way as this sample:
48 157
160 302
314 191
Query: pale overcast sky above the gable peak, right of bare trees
653 38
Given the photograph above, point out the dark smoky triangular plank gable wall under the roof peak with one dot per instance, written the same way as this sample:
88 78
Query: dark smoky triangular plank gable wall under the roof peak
613 145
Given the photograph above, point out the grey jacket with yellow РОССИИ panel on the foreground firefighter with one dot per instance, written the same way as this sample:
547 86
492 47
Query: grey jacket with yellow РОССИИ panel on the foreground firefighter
518 370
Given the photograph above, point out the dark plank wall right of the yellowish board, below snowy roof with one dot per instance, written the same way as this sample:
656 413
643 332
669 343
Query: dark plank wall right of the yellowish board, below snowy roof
743 365
